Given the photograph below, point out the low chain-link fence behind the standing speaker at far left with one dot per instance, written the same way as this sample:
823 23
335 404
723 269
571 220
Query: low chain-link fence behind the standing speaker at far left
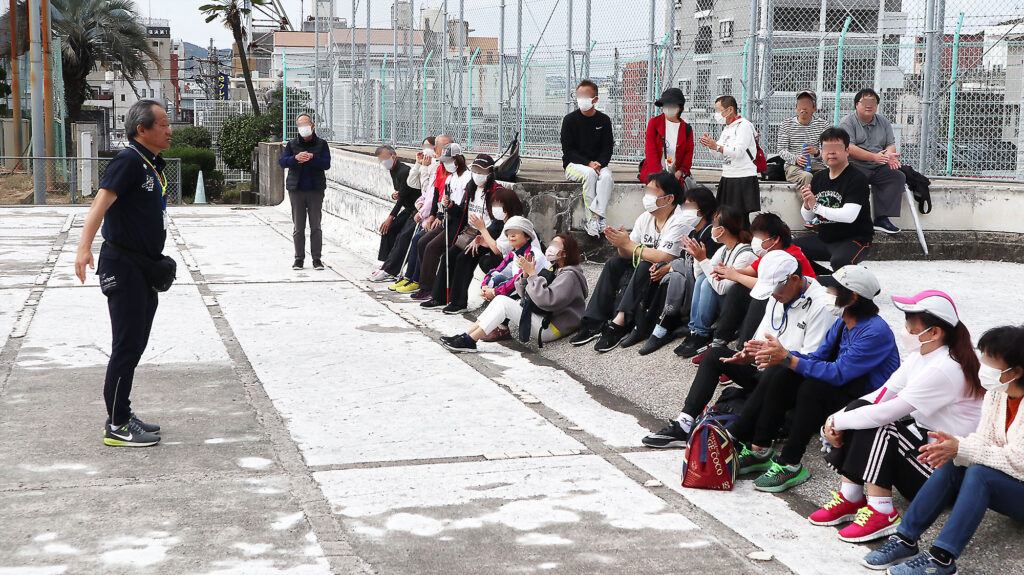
68 181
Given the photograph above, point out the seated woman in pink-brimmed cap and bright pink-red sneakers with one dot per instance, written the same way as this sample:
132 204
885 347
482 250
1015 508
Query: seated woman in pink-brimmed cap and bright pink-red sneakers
877 438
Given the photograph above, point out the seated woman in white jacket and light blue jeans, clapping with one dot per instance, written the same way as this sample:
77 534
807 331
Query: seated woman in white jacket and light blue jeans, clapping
709 292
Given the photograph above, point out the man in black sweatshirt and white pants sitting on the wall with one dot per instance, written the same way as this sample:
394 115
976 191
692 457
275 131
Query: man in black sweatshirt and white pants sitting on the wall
587 145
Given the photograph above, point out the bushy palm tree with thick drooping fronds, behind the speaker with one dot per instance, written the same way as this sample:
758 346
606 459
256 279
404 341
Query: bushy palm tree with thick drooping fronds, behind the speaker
95 31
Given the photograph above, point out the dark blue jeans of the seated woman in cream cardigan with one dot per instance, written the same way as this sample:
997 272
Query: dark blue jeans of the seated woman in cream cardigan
972 491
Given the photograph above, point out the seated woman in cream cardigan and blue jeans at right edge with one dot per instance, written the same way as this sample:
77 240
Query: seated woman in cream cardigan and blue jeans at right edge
980 472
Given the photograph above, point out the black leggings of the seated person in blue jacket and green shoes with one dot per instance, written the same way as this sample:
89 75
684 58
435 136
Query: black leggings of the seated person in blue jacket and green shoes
813 402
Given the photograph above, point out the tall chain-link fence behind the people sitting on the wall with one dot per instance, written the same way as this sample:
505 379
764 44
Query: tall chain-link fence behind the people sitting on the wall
949 72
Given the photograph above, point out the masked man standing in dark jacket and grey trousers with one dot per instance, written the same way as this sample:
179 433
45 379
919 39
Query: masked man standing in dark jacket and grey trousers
308 158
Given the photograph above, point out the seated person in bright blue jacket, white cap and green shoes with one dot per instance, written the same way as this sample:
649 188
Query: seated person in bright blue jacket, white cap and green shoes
858 357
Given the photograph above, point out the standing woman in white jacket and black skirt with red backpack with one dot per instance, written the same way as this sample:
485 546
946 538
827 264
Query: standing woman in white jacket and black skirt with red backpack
737 148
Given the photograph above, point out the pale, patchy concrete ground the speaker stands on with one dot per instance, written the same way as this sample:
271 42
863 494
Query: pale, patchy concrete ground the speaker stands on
314 425
